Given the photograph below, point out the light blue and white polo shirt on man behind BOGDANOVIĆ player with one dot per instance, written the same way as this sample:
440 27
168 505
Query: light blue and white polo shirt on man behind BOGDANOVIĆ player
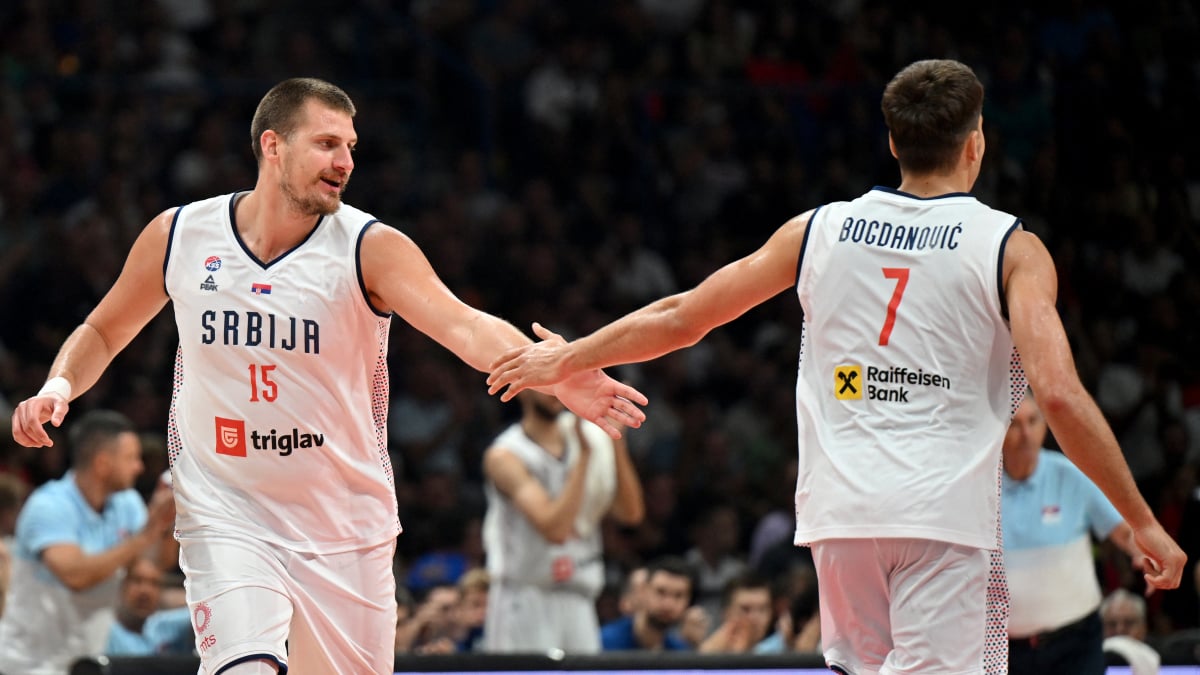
1048 521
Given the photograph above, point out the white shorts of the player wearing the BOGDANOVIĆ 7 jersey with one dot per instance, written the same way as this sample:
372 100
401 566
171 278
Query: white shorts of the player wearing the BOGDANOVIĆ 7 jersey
899 607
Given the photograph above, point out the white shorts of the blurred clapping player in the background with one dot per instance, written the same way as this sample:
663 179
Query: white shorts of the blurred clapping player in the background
526 619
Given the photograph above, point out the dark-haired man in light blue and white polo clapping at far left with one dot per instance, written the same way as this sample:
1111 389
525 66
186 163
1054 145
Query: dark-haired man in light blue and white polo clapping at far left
75 537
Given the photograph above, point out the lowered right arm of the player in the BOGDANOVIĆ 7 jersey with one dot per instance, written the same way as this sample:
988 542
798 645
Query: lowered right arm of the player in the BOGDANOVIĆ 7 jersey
1077 422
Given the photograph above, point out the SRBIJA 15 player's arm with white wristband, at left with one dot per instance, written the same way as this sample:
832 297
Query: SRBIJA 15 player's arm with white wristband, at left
137 296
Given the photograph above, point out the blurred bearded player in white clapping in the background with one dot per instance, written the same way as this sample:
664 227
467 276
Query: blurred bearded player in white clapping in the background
551 480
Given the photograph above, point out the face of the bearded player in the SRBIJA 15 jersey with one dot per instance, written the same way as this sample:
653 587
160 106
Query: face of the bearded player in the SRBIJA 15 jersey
316 160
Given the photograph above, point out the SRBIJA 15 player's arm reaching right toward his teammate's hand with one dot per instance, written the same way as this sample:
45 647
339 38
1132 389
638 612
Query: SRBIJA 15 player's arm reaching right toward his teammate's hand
400 279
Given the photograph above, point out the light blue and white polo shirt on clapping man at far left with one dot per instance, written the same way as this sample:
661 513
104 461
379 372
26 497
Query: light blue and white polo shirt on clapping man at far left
46 626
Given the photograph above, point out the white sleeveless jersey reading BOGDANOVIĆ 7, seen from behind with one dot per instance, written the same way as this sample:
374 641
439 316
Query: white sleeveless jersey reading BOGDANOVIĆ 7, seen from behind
908 373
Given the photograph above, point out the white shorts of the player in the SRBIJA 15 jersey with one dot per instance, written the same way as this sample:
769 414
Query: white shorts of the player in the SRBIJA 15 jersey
311 614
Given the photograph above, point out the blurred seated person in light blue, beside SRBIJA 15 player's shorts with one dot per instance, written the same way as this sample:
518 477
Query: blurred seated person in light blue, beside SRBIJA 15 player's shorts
143 626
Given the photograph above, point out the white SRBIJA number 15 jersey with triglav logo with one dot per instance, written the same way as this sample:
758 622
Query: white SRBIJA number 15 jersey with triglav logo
279 417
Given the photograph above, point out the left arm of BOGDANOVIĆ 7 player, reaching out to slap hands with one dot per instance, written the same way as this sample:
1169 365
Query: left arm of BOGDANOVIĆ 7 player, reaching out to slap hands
664 326
